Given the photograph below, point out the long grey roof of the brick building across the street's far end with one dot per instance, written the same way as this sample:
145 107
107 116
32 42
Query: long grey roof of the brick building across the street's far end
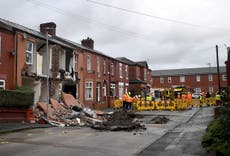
188 71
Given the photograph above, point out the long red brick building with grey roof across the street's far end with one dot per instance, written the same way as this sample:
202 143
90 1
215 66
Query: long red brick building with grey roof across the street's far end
195 79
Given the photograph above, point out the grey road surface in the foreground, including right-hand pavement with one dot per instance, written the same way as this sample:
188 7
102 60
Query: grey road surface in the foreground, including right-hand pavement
180 136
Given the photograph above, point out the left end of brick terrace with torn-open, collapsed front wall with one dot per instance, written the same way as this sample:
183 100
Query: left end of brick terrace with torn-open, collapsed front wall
25 61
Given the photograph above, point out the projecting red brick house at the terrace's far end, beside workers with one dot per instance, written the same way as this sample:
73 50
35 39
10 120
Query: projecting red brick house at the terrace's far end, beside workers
140 79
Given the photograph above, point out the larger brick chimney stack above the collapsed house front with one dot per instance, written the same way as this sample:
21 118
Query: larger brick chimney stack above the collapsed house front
49 27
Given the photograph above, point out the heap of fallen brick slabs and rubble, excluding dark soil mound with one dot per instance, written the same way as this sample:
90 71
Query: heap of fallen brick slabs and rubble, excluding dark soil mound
68 113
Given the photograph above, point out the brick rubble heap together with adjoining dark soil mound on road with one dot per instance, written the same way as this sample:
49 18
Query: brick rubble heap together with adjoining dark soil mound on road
72 113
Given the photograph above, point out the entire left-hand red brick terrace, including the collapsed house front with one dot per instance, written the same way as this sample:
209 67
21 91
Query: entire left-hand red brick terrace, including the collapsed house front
50 64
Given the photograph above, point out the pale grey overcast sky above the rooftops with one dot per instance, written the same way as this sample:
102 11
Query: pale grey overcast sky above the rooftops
168 34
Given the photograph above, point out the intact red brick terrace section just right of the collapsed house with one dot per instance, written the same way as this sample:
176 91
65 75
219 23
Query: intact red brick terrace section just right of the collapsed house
102 78
